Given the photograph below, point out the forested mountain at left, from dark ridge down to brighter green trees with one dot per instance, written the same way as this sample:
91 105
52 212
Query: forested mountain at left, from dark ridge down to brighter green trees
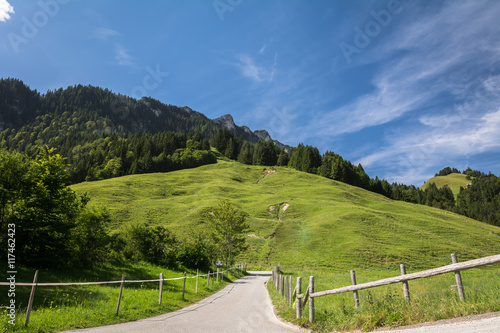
102 134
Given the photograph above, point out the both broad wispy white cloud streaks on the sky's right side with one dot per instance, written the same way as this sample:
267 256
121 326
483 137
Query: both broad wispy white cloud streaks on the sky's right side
446 55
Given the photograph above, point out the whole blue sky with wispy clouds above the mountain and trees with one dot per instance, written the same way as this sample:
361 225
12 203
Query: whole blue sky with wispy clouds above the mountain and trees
405 88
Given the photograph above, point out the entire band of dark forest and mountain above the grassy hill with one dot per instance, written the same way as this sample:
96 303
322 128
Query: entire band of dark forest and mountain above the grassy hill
103 135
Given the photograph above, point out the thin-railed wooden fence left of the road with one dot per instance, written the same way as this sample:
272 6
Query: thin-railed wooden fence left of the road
215 278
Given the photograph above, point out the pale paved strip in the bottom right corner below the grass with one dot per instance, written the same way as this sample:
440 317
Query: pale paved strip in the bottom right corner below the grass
488 323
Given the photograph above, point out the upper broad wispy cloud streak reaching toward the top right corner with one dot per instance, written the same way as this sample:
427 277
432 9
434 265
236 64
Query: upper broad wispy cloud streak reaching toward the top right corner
438 53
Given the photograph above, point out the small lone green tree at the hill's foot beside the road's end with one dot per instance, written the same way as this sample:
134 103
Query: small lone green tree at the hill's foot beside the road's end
228 227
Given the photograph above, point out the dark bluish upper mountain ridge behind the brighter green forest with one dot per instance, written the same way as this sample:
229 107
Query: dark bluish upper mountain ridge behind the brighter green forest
20 106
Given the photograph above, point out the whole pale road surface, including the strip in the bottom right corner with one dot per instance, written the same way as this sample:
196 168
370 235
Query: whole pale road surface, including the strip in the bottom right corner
244 306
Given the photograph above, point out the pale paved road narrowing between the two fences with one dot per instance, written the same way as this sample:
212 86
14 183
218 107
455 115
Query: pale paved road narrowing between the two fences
243 306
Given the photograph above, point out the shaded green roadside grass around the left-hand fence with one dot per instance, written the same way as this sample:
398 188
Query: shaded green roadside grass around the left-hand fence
63 308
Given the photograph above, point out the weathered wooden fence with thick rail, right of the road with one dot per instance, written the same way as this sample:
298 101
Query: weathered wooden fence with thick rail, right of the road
283 283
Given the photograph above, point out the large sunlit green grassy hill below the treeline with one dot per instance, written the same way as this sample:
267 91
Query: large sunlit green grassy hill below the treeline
298 219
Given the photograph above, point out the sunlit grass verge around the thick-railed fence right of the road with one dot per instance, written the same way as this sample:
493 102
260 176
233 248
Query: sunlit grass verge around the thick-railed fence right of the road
432 299
